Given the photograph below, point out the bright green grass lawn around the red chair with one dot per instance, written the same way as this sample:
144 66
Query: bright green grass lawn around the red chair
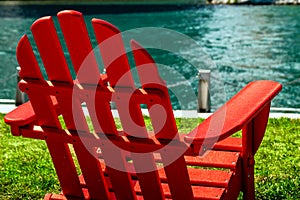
26 170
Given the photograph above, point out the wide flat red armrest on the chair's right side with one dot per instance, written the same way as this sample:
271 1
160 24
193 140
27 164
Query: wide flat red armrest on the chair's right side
235 114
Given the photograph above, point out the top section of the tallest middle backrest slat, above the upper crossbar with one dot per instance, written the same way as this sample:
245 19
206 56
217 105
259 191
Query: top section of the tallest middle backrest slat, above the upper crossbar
78 42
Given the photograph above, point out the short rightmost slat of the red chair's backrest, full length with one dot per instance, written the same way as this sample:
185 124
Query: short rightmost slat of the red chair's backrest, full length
179 185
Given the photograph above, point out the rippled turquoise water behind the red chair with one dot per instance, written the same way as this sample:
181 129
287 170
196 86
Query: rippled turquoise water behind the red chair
241 43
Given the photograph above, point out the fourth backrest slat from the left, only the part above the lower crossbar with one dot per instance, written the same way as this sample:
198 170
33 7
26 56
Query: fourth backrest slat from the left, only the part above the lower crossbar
117 67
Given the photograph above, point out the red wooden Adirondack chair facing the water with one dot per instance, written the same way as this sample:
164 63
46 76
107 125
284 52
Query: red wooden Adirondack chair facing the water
131 163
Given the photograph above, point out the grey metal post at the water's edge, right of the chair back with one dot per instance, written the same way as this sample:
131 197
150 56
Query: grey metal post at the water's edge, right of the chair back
203 91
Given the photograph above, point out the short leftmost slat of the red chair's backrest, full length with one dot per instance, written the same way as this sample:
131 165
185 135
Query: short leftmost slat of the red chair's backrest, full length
59 151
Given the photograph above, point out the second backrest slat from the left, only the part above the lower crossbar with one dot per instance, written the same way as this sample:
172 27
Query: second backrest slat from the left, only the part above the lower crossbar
55 63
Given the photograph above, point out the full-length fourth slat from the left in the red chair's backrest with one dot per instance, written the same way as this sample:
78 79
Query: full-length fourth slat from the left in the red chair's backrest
131 117
